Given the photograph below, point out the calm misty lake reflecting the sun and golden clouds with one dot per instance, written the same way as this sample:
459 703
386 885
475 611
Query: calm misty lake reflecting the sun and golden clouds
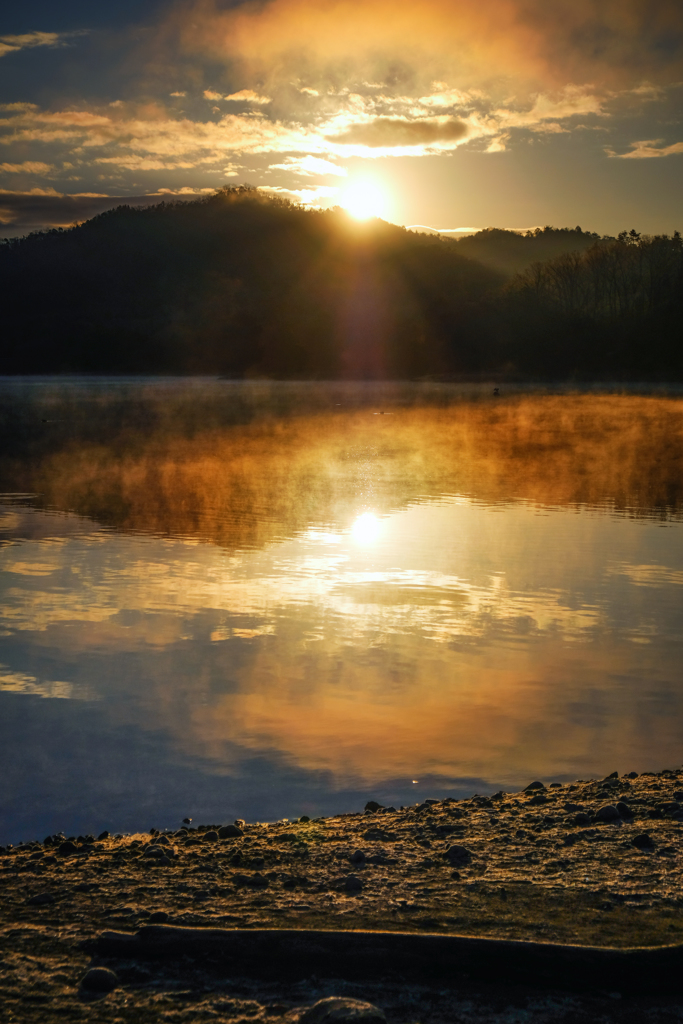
262 601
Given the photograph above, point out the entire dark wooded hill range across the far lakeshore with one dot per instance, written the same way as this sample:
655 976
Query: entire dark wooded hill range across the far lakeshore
244 285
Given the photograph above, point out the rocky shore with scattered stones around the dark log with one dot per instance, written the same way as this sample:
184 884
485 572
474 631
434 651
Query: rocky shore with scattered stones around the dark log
594 864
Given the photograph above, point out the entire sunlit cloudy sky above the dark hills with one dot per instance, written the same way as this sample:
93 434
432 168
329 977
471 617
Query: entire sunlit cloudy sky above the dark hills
457 114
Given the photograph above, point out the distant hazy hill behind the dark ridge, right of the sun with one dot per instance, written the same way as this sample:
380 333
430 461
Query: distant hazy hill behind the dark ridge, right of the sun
513 252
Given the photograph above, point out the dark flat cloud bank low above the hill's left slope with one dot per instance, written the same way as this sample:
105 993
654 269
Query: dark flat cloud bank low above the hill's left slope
22 214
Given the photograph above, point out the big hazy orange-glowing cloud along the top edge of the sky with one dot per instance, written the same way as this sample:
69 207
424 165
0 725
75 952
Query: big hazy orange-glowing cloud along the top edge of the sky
612 44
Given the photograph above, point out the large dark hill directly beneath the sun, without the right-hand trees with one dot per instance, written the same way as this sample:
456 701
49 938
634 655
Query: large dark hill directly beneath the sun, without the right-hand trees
239 284
